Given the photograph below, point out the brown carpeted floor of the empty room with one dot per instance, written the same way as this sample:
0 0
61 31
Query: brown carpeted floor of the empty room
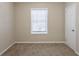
40 49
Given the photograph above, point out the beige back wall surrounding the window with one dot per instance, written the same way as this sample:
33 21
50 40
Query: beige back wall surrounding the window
55 22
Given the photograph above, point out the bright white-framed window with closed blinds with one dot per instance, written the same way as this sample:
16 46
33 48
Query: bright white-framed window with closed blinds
39 17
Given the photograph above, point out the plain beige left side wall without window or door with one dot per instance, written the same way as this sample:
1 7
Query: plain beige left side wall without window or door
6 25
